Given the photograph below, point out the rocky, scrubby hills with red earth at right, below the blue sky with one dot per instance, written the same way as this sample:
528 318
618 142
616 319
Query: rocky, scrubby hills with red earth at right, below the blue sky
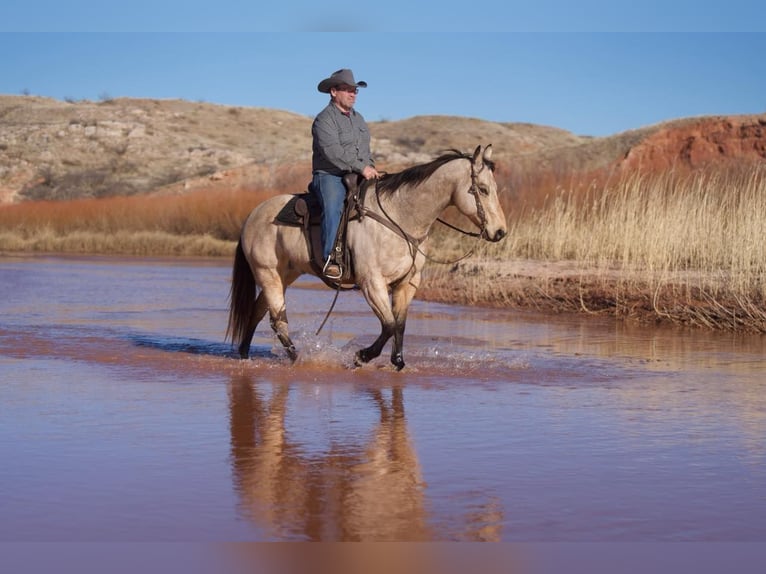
52 149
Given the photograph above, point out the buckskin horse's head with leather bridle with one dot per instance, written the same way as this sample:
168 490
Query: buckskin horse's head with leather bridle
480 202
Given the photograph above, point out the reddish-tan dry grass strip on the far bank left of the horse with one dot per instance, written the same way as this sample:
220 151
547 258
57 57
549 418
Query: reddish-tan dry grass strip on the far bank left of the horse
199 223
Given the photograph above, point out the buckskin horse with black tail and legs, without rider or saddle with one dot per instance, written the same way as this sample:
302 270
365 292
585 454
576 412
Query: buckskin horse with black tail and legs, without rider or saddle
387 245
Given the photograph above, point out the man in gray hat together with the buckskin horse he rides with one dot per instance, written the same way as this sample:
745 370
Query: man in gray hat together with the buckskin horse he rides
386 244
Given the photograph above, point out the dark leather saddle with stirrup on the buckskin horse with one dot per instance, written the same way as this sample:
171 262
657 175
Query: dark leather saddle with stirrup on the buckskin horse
305 210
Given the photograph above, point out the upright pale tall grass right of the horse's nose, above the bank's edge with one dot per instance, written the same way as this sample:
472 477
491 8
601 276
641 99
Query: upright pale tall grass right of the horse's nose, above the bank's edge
708 223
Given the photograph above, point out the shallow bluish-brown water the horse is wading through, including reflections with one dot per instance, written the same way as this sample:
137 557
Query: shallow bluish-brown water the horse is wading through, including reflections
126 417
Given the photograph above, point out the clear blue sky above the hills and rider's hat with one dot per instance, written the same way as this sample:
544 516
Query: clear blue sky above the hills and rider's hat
575 69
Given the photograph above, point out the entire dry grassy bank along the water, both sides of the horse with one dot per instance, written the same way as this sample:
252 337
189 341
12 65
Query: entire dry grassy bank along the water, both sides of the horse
680 248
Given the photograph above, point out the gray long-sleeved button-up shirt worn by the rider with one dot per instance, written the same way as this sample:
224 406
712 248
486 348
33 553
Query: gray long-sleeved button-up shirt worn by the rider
341 142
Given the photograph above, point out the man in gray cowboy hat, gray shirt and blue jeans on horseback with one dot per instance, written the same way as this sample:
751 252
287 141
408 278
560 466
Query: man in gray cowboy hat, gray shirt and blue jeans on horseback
341 144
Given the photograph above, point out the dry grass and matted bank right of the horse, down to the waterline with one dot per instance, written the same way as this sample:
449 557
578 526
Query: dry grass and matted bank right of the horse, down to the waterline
683 248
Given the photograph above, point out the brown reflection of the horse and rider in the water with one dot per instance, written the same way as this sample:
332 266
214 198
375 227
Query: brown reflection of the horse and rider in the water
372 491
